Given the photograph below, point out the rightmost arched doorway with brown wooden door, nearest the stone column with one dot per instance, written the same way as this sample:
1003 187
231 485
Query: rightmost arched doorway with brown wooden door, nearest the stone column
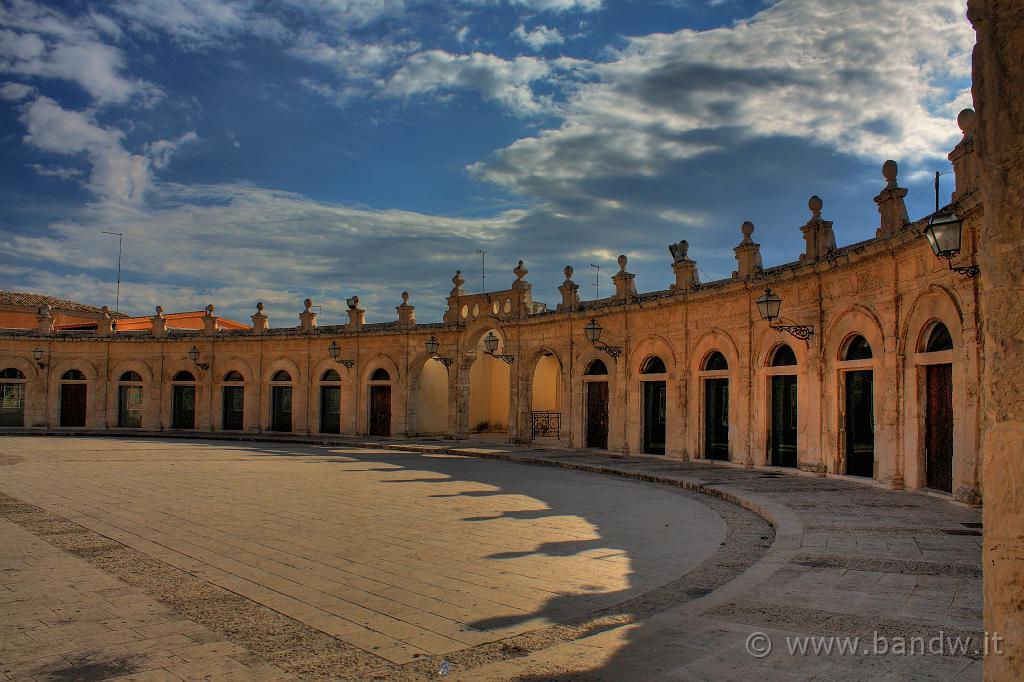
938 408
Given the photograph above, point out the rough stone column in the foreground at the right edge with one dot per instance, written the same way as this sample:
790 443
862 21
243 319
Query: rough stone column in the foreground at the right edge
999 99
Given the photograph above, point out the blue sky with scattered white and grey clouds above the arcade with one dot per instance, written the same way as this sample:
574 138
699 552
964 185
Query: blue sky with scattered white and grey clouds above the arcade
277 150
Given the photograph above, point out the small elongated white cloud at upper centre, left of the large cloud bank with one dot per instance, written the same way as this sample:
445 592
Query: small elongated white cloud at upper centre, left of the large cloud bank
505 81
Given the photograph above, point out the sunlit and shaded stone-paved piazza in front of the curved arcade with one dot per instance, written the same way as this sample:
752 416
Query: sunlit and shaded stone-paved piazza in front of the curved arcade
204 560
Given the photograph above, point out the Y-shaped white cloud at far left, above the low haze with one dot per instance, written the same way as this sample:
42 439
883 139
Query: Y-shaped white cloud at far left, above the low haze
117 175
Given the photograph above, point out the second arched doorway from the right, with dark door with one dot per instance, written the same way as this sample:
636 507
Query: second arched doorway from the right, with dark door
859 403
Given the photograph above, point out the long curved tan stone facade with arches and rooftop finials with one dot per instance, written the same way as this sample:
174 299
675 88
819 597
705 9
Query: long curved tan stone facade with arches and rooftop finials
890 290
